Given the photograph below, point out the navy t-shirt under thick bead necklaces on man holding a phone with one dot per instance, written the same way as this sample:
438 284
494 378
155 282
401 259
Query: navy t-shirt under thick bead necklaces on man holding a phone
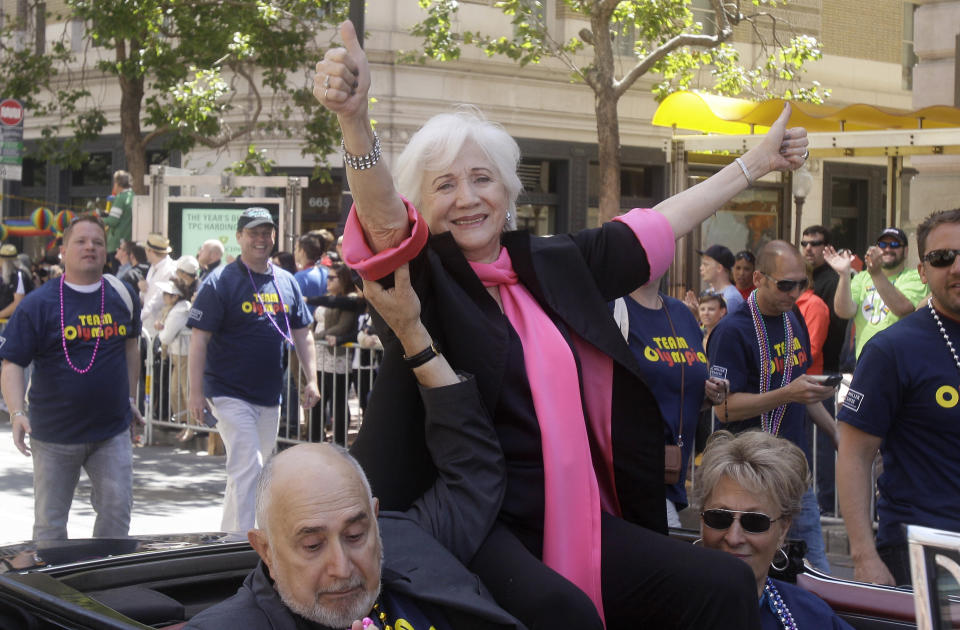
735 355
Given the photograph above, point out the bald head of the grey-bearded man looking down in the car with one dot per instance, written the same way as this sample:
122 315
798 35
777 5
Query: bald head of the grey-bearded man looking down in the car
322 544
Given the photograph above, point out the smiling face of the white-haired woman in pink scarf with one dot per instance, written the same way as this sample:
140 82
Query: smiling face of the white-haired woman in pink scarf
468 200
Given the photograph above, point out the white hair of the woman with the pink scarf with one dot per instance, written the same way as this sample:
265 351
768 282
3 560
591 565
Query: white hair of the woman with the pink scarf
438 143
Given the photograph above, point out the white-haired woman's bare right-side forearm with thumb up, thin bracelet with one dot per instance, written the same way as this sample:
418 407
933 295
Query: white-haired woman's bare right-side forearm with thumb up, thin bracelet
780 150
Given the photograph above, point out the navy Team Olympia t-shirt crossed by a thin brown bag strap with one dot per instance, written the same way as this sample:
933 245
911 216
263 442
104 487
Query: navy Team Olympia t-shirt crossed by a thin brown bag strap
661 356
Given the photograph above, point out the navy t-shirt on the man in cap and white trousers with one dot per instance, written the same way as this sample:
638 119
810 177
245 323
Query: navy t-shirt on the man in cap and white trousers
245 353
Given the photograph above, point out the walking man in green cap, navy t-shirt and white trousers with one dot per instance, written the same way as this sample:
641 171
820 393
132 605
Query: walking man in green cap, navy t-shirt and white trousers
240 320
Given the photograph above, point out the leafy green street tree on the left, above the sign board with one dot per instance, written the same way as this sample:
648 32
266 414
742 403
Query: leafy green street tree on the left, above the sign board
189 73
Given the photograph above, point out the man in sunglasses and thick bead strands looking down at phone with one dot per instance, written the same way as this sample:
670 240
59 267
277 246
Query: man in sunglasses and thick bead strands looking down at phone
769 387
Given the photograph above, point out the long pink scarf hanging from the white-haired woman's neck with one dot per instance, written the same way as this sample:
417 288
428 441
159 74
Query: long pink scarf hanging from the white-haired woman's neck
571 536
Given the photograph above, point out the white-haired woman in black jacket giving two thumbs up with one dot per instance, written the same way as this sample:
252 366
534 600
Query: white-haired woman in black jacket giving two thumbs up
577 541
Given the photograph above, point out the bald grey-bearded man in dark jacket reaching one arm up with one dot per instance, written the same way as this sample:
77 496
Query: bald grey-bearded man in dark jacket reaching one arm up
328 560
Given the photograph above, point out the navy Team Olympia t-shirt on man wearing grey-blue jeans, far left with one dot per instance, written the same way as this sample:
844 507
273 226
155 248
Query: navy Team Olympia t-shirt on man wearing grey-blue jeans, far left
67 407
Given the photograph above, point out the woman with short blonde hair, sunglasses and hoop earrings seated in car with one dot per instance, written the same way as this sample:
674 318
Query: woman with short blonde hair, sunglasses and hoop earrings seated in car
750 486
